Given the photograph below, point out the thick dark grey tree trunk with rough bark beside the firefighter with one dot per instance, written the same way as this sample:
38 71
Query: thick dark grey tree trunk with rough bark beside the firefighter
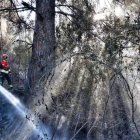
42 60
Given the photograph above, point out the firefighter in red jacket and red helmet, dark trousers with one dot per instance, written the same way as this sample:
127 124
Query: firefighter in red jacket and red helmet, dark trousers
5 71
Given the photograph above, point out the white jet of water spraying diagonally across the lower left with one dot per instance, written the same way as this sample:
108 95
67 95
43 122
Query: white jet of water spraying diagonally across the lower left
34 123
